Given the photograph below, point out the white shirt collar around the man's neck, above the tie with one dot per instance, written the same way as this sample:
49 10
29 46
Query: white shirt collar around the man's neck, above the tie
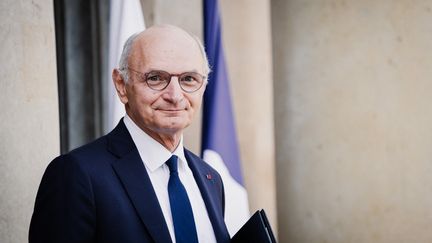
152 153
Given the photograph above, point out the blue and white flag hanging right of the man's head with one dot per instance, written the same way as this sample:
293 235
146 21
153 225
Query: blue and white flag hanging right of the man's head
219 142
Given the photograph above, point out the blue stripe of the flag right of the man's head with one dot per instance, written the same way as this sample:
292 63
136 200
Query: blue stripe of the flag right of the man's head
218 132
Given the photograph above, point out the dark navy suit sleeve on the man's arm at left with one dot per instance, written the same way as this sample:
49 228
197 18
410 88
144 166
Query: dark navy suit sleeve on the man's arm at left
64 208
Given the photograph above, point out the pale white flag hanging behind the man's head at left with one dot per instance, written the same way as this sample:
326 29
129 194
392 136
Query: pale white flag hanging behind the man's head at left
126 18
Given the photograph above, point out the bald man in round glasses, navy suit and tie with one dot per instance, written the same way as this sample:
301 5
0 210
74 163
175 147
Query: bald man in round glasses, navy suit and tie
119 188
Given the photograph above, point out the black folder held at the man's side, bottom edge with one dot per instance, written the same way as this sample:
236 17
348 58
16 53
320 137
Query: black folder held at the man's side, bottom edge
256 230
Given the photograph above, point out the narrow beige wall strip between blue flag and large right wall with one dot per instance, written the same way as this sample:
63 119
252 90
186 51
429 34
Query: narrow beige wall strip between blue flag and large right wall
247 40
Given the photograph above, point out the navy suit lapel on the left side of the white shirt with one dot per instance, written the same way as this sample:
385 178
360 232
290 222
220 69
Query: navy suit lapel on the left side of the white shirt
133 175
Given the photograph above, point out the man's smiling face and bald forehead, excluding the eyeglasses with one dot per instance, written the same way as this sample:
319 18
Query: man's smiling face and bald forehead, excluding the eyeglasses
169 111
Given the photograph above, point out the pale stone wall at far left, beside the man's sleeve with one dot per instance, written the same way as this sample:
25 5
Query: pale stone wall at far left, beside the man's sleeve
29 128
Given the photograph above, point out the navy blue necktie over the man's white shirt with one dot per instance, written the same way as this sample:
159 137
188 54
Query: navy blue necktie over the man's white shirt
181 210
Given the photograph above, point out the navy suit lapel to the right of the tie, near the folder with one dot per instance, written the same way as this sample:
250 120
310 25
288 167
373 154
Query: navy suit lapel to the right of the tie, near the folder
205 180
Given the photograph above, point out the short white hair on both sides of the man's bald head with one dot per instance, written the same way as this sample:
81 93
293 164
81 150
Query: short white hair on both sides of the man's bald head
124 64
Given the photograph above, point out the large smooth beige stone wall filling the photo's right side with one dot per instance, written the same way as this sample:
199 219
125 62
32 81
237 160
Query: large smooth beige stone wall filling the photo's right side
352 108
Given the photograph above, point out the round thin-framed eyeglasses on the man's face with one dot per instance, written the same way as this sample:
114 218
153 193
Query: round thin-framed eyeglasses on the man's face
158 80
